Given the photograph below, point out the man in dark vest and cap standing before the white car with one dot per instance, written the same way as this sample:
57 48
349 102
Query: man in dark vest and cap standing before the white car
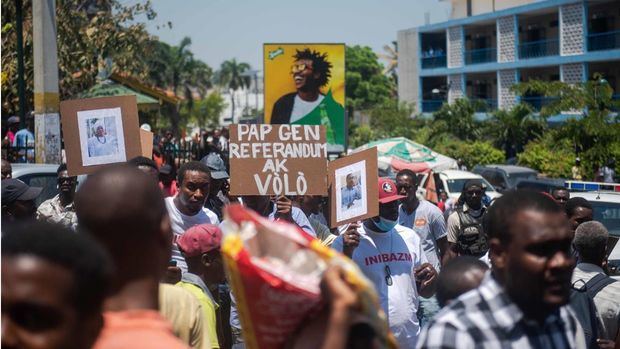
466 236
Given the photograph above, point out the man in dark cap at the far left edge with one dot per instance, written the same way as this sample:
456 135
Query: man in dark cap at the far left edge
18 201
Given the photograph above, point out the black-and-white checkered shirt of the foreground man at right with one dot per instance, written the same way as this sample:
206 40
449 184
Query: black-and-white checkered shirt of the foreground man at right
487 318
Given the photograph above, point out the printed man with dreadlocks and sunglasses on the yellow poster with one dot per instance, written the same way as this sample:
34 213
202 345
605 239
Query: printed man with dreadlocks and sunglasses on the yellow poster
310 72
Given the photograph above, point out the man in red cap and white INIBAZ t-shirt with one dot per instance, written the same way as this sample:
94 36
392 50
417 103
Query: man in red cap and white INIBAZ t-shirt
391 256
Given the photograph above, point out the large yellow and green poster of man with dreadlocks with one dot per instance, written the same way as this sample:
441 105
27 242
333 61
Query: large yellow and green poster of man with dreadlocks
304 84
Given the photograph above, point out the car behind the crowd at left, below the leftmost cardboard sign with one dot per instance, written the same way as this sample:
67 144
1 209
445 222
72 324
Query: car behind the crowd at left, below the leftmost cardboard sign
40 175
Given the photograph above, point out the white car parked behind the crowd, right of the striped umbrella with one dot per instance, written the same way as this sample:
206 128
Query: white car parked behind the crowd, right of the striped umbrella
452 181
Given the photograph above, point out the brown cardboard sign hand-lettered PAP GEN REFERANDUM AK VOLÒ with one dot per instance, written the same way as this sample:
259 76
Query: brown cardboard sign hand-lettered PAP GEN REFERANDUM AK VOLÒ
278 160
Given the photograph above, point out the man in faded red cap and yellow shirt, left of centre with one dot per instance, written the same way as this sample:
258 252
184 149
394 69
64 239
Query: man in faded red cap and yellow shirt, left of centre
200 246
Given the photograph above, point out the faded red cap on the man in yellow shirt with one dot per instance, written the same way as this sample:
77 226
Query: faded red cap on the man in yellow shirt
200 239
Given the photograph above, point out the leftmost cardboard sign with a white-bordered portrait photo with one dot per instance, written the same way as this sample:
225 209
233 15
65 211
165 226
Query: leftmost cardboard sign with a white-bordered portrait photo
99 131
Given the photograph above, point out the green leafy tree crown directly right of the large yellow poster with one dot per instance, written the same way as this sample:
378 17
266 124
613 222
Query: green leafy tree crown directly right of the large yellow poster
366 84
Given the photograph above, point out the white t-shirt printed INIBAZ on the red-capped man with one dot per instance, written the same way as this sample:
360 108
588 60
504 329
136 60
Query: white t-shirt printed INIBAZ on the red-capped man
401 251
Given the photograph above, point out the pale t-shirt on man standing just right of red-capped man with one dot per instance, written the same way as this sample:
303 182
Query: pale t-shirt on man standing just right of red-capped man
427 220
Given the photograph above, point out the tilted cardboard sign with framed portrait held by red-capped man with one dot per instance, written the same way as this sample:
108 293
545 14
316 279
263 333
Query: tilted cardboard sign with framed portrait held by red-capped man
353 187
